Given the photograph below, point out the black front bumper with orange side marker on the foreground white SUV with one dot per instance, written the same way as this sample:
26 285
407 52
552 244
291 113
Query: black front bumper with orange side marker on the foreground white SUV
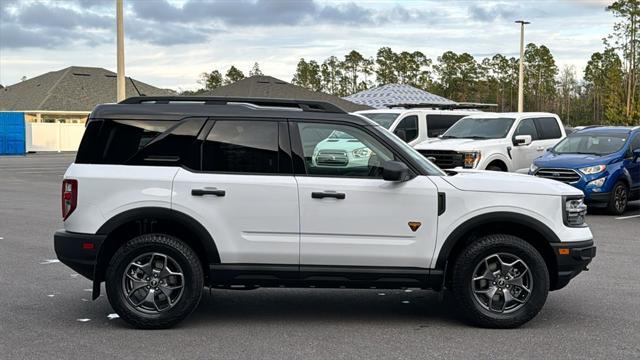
572 258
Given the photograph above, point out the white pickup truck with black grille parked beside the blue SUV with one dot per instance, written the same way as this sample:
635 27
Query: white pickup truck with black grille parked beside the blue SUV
494 141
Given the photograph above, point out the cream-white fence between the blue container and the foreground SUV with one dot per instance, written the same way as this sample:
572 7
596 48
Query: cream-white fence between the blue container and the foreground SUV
53 136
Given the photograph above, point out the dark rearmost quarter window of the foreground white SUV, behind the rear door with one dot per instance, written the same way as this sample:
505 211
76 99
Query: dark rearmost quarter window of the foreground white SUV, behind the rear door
141 142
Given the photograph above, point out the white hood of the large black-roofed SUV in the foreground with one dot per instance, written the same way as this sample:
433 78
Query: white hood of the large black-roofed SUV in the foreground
496 181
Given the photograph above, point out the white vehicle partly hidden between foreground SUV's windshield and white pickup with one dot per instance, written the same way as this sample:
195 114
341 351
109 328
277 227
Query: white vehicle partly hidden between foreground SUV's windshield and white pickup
416 125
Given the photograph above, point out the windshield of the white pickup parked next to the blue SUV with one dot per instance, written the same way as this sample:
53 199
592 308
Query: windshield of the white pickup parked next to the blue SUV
479 128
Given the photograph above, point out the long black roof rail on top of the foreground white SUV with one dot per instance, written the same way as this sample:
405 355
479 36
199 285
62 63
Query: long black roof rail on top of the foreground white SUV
304 105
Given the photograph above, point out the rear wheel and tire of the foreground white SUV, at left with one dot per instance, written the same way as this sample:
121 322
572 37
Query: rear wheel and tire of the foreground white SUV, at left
173 297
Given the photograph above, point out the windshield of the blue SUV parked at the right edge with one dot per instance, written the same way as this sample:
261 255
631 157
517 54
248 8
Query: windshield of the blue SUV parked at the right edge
591 144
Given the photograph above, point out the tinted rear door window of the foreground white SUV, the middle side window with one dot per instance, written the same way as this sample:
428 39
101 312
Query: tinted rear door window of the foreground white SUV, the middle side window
242 147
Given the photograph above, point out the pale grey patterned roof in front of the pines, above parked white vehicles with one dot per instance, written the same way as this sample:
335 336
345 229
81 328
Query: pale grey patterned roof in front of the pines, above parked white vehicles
396 94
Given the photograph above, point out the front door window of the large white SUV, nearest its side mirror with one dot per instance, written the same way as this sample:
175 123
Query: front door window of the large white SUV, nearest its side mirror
341 150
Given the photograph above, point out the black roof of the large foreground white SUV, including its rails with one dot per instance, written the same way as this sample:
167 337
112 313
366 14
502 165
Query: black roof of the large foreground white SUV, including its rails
179 107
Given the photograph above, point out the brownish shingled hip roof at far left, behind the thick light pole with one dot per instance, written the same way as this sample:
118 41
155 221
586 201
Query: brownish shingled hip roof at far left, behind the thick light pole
72 89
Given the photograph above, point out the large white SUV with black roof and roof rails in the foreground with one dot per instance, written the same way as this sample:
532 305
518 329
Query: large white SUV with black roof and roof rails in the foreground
171 194
